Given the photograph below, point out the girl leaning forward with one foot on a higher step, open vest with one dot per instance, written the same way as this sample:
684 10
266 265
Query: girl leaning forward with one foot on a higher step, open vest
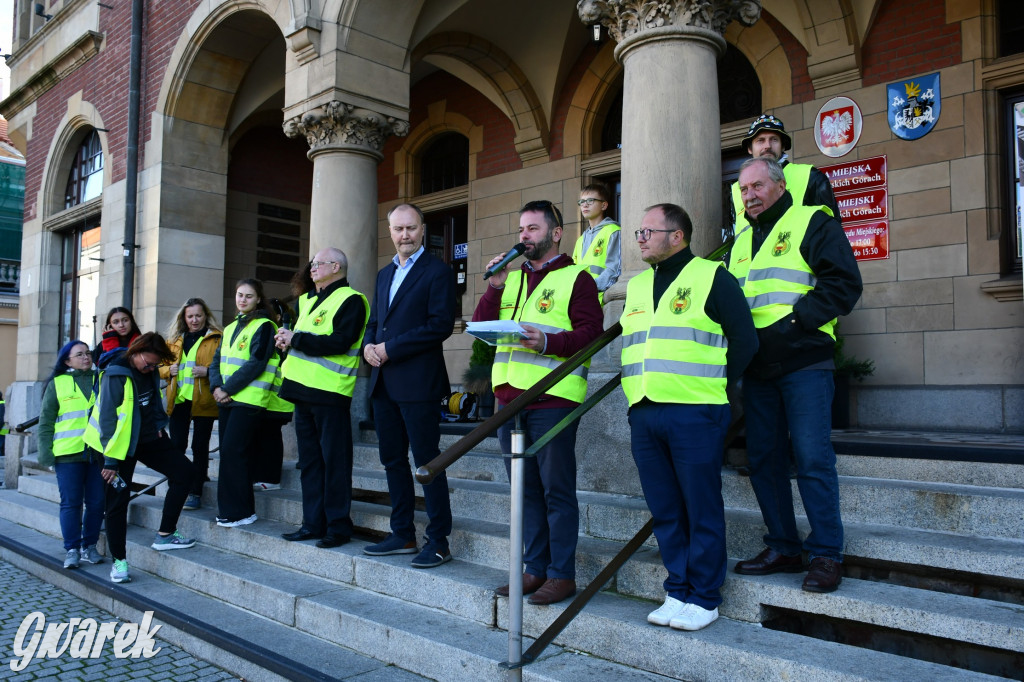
127 427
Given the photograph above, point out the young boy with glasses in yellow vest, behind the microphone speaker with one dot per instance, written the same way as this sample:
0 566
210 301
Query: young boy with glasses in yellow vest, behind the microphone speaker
599 247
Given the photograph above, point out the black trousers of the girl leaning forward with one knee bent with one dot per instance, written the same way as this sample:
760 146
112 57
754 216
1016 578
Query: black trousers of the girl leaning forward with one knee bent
164 458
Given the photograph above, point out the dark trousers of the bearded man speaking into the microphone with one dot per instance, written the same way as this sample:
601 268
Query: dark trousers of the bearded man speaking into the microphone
551 514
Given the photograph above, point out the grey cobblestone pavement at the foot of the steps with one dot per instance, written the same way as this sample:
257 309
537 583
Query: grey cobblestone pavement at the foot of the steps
24 594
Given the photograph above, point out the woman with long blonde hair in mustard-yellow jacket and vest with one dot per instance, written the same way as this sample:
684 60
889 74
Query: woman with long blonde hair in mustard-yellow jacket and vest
194 337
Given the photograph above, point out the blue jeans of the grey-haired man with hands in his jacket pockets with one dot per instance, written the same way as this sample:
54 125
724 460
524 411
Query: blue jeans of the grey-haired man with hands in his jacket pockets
803 400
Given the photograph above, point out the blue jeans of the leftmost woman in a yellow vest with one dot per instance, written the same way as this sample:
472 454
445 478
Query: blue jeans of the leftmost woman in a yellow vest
80 483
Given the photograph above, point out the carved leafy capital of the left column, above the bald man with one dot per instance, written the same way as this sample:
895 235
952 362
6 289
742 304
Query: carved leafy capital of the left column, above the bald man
340 126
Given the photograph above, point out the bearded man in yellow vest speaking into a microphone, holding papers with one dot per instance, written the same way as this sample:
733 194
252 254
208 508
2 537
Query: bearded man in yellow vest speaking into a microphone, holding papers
557 303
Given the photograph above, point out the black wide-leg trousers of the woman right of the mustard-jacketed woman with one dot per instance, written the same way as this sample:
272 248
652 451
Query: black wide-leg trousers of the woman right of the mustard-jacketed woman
238 443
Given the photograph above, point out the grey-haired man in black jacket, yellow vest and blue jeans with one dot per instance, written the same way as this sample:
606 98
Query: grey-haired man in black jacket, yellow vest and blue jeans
798 272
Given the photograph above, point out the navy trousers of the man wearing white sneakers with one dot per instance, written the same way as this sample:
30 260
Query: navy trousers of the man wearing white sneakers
678 453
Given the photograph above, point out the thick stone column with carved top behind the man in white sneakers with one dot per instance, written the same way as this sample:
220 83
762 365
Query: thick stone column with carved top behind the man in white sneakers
671 131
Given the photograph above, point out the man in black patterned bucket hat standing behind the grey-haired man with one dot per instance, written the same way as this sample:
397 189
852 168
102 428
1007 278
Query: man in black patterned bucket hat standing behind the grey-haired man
767 140
